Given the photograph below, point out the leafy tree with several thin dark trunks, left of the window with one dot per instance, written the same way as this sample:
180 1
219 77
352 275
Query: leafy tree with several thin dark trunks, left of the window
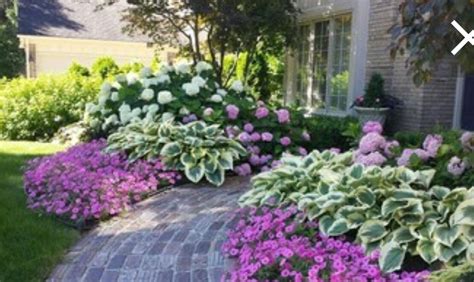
211 29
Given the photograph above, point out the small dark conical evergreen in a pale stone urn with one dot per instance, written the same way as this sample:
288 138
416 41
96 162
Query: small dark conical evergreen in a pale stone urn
375 104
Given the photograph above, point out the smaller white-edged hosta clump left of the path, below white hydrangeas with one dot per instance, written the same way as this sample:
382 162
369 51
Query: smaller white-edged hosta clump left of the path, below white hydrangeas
200 150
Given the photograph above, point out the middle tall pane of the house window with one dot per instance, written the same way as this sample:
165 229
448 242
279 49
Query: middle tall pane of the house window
320 64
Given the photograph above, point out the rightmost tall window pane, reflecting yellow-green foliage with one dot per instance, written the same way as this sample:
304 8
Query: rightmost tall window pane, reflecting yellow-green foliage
339 87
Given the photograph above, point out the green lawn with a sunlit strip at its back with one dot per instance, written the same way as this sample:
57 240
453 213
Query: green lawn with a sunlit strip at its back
30 244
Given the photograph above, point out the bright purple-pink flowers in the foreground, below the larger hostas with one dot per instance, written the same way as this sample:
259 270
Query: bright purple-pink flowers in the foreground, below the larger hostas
275 244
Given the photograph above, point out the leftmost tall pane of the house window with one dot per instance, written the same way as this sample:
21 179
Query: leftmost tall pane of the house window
303 67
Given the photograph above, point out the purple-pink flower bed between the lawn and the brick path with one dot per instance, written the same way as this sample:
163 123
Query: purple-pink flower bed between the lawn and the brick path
84 183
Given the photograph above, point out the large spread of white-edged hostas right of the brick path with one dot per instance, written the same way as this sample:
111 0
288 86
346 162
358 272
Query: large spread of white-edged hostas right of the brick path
393 209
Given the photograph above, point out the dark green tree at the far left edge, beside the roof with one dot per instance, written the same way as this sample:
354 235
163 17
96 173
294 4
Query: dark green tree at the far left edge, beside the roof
11 56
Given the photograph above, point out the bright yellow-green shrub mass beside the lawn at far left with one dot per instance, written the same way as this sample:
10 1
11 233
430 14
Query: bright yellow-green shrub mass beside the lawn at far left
34 109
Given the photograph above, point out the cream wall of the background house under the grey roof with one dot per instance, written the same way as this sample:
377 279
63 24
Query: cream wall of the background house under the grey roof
55 55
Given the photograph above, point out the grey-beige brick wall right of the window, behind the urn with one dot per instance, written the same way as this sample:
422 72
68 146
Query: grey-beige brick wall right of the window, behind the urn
423 107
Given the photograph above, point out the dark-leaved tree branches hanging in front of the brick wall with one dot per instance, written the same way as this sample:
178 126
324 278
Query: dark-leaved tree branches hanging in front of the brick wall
426 34
